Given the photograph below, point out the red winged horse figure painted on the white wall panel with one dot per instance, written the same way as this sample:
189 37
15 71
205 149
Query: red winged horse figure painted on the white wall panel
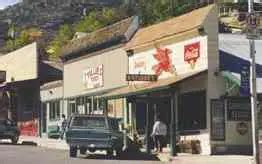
163 56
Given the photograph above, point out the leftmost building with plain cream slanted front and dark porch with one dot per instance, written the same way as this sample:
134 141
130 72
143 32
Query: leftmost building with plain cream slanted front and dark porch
23 73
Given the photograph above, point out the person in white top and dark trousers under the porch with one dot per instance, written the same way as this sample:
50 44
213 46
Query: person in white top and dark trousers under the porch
159 133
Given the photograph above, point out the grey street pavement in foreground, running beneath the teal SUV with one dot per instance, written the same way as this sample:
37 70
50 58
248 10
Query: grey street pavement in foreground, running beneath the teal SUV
21 154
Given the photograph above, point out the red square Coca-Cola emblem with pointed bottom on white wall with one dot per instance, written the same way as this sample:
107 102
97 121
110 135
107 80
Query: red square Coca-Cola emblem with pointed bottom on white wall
192 53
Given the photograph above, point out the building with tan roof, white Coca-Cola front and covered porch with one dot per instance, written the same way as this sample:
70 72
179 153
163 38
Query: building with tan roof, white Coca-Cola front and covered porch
183 55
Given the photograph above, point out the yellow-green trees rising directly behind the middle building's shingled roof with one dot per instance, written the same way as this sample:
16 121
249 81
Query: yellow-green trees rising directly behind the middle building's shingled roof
93 21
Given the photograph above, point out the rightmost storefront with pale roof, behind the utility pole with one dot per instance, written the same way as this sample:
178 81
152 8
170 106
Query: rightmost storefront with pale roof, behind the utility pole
234 67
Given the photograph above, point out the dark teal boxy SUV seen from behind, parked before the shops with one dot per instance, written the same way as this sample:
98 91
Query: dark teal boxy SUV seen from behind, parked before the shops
93 132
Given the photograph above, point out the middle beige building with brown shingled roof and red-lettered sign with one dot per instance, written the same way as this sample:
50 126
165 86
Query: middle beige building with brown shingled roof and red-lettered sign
94 65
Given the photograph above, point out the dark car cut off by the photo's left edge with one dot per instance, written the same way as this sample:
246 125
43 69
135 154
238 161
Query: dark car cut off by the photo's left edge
9 130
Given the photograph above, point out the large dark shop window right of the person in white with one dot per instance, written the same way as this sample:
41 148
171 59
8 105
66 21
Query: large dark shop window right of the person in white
192 111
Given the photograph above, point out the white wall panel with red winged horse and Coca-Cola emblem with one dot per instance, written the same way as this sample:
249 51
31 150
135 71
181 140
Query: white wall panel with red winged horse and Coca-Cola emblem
171 60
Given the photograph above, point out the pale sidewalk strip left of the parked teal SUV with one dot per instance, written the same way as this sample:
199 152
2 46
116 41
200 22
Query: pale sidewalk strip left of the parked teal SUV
44 142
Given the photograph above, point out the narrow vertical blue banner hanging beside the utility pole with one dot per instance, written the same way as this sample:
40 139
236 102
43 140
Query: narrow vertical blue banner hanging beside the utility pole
245 80
